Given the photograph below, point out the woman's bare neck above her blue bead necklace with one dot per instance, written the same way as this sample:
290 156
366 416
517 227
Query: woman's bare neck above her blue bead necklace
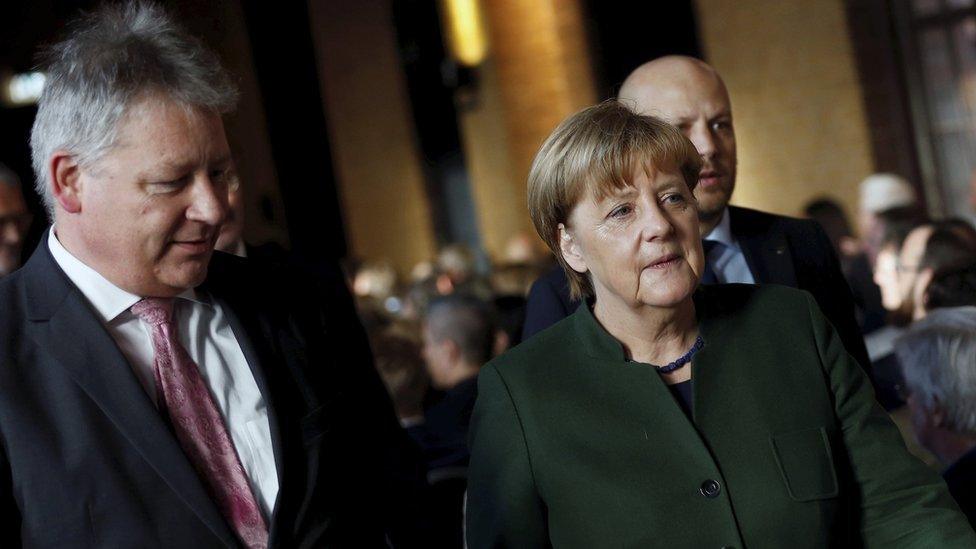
651 335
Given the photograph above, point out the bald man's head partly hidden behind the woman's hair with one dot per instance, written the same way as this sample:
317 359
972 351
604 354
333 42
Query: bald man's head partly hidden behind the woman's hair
689 94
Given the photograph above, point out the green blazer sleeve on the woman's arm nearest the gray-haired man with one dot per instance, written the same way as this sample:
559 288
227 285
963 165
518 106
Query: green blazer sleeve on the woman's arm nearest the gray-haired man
503 505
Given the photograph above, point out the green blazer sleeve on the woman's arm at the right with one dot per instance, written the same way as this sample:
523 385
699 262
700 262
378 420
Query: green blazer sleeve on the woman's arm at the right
903 503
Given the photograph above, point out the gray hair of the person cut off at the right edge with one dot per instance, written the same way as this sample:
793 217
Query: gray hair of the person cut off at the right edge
938 359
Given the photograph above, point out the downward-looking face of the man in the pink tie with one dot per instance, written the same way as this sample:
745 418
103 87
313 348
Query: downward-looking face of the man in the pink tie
151 207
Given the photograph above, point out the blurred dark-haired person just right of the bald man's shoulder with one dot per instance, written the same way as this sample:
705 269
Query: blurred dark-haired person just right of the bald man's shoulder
853 262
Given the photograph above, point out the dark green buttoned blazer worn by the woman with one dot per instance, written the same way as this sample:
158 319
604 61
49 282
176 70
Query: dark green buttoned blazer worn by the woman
573 446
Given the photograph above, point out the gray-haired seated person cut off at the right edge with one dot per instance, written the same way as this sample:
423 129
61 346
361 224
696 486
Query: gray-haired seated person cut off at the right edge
938 360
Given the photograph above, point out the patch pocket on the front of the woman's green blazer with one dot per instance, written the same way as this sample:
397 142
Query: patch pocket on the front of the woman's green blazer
804 460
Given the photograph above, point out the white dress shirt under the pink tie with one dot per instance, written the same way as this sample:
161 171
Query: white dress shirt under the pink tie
205 332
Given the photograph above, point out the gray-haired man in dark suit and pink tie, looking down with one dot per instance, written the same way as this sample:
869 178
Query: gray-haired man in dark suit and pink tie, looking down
154 393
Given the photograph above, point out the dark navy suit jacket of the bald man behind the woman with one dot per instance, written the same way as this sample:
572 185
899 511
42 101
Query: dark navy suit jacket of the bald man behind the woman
778 250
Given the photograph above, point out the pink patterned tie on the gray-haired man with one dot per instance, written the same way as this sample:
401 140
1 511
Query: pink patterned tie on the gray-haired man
199 425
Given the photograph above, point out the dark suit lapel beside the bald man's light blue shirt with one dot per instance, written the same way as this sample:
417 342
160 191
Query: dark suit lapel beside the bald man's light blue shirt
764 246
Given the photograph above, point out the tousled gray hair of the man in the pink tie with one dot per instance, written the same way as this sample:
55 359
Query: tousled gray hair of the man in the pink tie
111 58
